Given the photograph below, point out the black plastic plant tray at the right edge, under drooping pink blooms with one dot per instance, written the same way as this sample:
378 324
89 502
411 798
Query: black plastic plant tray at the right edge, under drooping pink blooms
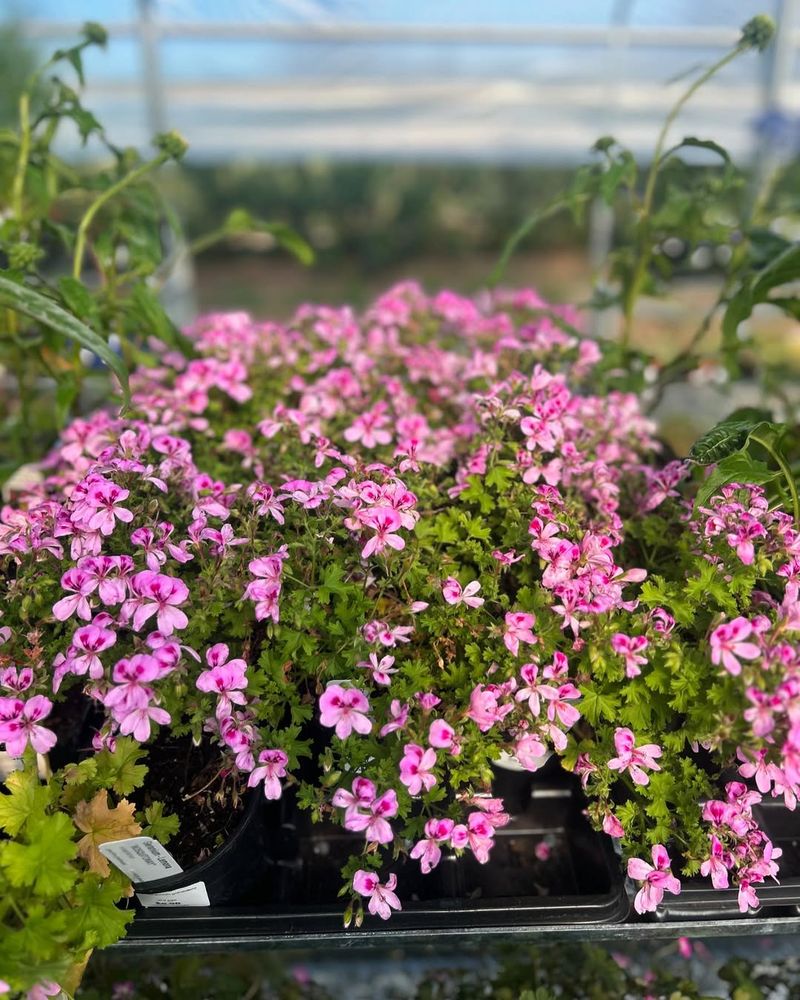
699 900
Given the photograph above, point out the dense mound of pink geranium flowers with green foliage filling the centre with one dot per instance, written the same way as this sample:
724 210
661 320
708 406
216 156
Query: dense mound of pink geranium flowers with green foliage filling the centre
438 534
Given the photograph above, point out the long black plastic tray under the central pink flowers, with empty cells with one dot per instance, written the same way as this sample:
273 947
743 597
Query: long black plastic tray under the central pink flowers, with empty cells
579 883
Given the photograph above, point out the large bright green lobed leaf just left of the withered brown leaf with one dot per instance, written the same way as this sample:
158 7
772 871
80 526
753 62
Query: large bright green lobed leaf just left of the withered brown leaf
43 862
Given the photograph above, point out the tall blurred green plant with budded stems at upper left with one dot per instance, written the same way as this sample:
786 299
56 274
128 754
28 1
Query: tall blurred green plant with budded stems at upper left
84 254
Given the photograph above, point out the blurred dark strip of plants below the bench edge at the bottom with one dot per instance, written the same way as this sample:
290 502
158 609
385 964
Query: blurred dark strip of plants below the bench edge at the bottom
657 970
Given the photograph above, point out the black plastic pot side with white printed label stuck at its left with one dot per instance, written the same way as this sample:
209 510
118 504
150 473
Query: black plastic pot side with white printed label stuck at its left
233 873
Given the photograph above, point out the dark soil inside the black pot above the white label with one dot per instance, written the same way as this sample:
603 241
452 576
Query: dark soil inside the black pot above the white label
193 783
